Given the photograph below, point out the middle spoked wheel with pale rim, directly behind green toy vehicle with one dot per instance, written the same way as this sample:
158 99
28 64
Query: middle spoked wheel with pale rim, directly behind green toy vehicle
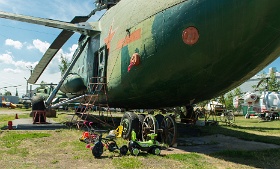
149 126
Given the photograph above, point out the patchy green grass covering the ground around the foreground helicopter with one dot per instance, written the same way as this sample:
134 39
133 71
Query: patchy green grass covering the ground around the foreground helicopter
62 148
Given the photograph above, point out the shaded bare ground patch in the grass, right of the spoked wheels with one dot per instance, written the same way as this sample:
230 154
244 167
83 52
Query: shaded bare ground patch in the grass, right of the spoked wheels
215 143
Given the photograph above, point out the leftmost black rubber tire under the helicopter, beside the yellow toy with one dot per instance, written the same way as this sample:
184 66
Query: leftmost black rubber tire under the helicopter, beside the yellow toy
133 124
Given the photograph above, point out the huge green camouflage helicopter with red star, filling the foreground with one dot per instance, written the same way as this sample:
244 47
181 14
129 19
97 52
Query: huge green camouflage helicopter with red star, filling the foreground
154 54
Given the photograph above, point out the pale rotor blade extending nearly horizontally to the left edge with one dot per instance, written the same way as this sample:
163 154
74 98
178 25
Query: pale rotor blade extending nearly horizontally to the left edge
83 27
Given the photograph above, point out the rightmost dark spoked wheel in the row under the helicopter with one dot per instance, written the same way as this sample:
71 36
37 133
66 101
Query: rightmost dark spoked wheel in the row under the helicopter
169 133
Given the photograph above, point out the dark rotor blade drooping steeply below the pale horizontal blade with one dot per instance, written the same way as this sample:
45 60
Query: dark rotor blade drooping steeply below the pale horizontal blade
53 49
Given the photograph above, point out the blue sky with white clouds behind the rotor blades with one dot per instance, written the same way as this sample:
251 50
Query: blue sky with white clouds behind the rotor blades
22 45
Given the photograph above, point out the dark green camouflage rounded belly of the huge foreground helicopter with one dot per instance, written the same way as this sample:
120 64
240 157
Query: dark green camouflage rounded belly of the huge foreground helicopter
230 47
